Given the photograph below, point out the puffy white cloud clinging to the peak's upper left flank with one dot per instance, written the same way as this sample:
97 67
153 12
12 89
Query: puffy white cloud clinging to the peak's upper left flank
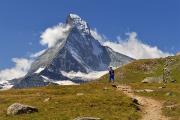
53 34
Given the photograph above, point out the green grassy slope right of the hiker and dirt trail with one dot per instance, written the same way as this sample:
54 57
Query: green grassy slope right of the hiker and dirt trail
136 71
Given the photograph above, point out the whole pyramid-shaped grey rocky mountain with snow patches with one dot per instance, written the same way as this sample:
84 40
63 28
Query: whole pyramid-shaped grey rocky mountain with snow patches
72 59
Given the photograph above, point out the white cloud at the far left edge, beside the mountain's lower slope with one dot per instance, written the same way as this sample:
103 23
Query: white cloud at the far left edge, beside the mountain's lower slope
19 70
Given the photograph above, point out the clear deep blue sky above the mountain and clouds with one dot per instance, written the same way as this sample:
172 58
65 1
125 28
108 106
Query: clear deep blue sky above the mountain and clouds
157 22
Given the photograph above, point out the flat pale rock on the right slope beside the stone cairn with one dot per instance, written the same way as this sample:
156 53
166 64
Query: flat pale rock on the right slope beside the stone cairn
153 80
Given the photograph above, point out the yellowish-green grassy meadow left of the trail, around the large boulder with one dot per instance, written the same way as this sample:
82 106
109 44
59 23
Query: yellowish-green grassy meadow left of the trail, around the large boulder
69 102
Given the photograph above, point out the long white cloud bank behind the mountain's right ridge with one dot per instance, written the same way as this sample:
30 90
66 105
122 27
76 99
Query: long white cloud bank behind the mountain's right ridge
132 46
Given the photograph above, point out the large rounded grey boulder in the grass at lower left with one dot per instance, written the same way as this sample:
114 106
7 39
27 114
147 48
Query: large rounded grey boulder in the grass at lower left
17 108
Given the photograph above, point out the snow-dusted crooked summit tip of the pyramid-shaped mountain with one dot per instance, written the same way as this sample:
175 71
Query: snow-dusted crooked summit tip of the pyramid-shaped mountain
76 21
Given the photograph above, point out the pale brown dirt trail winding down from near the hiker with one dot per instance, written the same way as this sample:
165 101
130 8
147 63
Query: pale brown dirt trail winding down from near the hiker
150 107
